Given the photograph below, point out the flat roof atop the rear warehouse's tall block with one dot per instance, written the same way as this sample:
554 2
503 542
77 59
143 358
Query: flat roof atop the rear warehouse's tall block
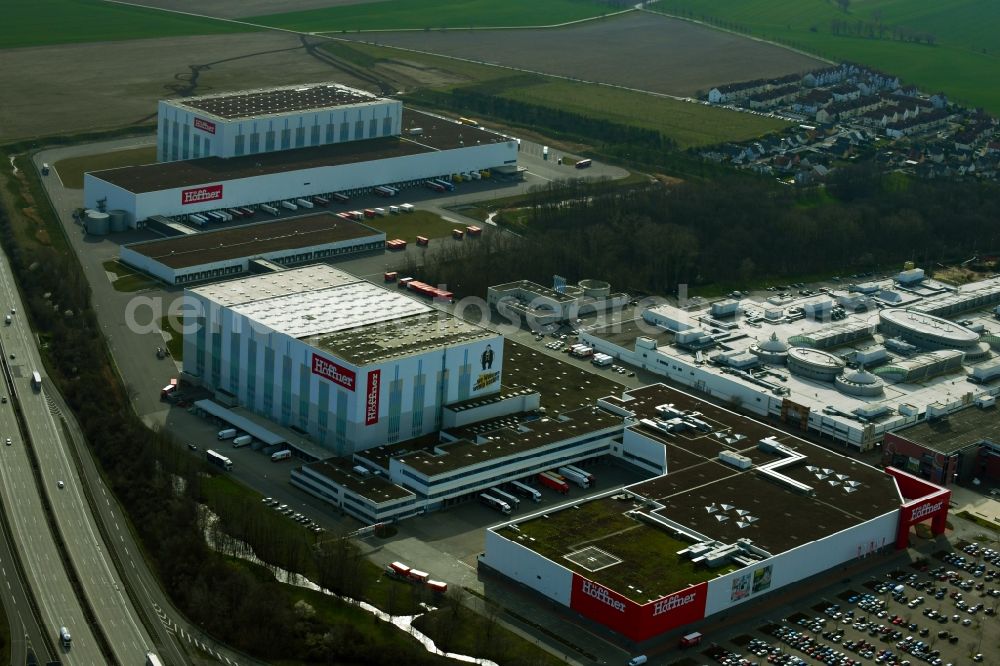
271 101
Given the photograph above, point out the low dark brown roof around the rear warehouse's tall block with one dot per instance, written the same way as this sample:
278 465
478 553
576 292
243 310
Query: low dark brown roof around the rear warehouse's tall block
438 134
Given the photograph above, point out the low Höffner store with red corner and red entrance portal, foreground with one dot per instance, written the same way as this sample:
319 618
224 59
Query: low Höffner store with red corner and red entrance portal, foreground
740 511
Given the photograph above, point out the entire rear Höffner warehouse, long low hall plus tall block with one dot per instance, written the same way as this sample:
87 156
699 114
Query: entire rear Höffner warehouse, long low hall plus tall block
269 146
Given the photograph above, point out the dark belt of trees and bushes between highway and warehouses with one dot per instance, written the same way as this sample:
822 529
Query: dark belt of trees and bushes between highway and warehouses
162 488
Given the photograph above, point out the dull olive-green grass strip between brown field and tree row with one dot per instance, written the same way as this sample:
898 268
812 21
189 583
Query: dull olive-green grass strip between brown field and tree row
687 123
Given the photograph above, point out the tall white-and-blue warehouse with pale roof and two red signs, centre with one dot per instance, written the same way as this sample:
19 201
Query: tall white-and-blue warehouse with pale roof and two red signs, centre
352 364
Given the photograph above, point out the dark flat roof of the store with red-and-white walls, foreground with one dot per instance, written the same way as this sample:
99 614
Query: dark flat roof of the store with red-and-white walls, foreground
711 498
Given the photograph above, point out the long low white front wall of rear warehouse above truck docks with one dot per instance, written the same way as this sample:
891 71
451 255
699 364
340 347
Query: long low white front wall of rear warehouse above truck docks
229 193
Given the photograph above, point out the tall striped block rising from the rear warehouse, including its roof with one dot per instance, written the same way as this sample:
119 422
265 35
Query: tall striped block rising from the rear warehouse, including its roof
271 119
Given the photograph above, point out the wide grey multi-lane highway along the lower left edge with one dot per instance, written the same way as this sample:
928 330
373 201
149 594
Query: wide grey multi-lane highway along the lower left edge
99 581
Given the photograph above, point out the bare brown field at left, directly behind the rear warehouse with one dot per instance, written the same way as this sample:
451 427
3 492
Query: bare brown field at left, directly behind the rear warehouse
72 88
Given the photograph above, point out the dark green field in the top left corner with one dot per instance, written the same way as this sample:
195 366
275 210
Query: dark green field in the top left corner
44 22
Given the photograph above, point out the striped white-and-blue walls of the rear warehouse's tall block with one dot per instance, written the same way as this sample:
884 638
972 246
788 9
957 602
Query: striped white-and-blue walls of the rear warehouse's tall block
185 132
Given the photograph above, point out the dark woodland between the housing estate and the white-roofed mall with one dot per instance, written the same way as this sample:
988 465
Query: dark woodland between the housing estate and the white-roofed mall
735 232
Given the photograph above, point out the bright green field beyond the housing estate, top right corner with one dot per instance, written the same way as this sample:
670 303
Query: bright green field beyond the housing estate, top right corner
962 60
